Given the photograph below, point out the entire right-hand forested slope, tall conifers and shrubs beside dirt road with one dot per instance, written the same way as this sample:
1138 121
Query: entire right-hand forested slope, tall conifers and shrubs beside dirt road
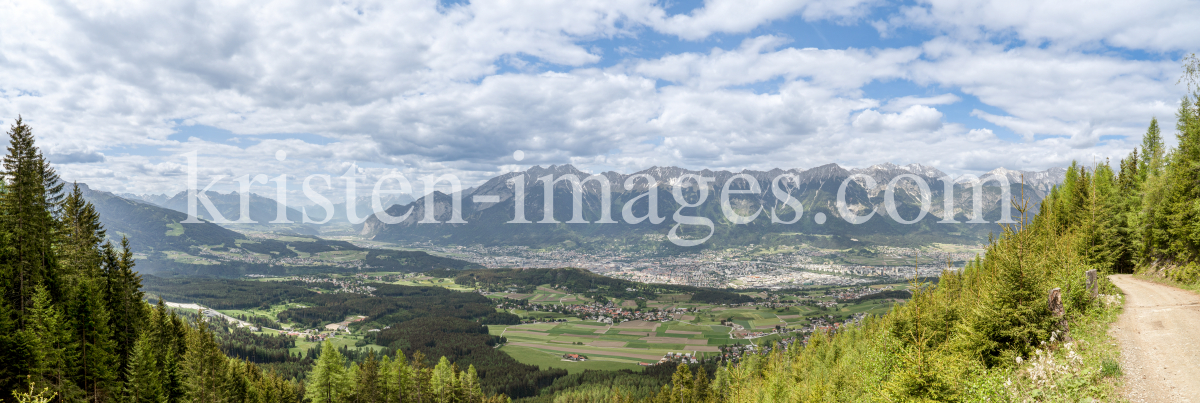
991 332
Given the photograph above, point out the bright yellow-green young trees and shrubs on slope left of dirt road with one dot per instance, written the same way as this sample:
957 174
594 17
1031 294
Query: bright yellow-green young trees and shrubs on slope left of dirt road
986 333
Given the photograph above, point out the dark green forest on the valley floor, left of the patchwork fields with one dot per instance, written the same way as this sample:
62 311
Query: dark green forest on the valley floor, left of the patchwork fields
434 321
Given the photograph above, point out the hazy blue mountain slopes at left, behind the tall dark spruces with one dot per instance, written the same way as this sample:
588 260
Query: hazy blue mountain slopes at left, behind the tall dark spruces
167 245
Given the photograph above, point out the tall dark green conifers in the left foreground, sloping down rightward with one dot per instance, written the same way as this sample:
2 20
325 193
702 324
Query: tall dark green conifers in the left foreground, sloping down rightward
74 326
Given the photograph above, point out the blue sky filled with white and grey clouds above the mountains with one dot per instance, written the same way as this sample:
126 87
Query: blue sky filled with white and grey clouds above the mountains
118 93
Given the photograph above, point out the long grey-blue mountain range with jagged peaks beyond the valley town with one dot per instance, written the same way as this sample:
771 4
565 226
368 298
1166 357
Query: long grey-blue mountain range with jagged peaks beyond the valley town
489 208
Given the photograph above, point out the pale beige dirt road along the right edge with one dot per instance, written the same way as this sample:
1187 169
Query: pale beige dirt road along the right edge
1160 336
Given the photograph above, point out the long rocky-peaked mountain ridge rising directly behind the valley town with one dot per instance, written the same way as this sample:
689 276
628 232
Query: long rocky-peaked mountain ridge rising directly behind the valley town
817 190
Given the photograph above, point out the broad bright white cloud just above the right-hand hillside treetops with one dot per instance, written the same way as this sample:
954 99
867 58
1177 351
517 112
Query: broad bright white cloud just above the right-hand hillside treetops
1051 93
